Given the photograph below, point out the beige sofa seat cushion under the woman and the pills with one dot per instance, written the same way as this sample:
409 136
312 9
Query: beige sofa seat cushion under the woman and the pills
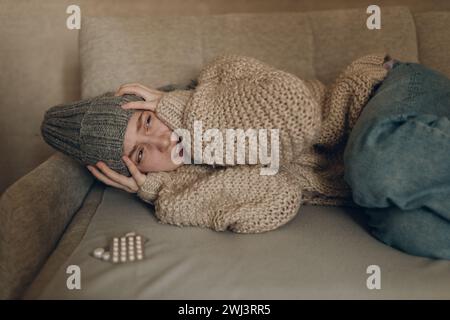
323 253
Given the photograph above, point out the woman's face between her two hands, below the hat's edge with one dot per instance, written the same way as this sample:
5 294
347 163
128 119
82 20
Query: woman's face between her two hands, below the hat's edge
148 143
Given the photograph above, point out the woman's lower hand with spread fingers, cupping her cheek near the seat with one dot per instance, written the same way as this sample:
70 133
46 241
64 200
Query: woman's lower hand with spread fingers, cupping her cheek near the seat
110 177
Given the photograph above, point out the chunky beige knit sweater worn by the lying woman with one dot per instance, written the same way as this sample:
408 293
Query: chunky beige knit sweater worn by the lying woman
242 92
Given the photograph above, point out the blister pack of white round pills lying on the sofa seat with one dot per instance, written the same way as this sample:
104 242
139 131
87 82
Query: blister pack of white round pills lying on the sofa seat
127 248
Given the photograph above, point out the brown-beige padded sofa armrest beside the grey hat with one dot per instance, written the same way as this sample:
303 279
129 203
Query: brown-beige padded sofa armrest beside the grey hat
34 213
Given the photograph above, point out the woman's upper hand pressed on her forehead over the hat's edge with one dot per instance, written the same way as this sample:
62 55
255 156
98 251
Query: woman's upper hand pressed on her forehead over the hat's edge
151 96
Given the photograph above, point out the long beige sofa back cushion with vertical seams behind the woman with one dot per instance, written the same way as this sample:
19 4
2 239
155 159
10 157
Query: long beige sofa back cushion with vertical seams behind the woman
160 50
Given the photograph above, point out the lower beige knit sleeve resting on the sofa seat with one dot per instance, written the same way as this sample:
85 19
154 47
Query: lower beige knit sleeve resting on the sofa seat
232 198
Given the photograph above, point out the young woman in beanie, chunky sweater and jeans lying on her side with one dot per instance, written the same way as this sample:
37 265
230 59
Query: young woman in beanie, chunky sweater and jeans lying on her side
314 124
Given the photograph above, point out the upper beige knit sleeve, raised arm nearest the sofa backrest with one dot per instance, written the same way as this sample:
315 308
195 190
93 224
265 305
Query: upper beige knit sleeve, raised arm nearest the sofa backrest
239 92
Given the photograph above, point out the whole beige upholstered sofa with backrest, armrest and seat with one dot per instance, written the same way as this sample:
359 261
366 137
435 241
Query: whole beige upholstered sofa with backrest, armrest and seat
57 214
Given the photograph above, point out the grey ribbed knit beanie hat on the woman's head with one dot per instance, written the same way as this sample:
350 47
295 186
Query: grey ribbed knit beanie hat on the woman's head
90 130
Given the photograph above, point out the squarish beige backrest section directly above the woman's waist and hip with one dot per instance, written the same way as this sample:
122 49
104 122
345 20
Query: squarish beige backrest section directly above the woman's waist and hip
340 36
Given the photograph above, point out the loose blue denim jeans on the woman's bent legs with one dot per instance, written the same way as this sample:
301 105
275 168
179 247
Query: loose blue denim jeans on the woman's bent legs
397 161
